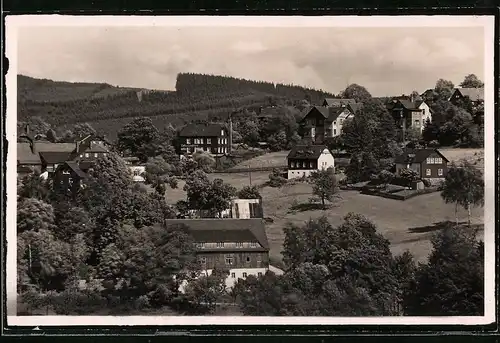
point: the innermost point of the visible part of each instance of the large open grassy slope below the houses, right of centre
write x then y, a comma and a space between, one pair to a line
407, 224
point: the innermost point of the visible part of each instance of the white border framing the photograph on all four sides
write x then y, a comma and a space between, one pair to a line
13, 23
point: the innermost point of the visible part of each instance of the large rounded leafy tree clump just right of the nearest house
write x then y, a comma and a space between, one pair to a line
331, 271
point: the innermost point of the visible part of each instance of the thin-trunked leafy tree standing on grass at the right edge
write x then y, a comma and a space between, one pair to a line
463, 186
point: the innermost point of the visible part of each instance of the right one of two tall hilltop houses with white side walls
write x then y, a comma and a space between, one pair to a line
409, 114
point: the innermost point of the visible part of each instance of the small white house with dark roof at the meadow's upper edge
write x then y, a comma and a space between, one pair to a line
304, 159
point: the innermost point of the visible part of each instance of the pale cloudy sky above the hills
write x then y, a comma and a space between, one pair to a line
387, 61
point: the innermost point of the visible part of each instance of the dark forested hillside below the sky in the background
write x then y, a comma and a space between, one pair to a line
108, 108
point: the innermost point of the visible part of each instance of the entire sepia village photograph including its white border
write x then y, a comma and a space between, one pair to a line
250, 170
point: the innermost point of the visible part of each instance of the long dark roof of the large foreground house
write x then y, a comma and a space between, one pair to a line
225, 230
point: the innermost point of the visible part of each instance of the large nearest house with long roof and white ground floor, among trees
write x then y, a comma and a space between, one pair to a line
240, 245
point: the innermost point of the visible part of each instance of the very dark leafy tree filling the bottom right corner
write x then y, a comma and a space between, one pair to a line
451, 283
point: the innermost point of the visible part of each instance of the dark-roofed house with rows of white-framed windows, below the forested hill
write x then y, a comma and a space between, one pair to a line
211, 138
